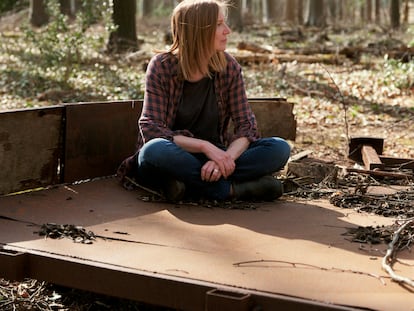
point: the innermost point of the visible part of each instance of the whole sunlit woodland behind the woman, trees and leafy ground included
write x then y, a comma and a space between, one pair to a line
345, 64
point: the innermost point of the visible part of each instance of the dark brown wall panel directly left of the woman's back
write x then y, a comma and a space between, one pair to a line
98, 137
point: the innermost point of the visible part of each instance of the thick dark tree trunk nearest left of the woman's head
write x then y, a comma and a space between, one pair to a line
124, 38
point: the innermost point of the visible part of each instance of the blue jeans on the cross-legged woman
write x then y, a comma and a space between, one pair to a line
161, 159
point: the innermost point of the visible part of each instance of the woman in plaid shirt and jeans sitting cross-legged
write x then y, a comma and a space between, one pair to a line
192, 92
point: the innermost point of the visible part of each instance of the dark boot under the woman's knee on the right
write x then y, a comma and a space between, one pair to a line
266, 188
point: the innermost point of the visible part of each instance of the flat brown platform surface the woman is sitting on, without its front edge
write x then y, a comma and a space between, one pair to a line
284, 247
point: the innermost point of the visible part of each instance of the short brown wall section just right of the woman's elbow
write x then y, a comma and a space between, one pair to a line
275, 117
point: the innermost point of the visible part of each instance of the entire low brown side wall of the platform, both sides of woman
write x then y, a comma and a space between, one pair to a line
98, 136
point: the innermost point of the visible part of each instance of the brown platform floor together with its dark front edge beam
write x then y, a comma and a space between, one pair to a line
160, 254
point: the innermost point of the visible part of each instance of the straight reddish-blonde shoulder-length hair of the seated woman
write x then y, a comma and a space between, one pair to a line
193, 26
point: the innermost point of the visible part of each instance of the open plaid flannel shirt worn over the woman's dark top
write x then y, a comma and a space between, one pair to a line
163, 92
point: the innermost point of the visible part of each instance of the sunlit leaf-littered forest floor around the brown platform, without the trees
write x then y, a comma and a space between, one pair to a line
367, 93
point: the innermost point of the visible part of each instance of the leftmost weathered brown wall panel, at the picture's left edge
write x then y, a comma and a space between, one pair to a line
29, 148
